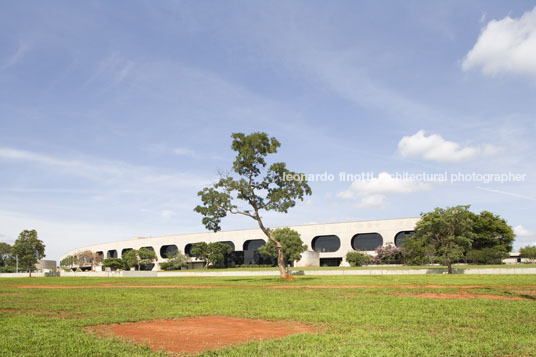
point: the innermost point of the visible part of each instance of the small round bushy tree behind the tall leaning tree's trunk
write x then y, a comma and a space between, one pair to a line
291, 242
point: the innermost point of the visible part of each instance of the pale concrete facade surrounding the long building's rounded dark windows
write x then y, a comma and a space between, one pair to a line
345, 232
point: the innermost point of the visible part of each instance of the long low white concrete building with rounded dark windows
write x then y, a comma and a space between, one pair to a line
327, 243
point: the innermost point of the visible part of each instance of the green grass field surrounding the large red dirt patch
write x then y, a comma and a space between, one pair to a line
387, 320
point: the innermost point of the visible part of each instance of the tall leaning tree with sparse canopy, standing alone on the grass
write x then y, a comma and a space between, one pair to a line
261, 189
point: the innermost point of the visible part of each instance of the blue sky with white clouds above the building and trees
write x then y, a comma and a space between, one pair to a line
113, 115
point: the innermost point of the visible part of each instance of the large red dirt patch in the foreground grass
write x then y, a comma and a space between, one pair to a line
197, 334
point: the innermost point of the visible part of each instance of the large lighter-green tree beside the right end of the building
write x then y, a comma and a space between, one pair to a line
447, 233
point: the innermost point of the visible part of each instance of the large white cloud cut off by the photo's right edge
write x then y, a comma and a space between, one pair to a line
505, 46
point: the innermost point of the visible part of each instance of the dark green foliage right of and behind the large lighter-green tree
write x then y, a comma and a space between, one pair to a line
490, 231
